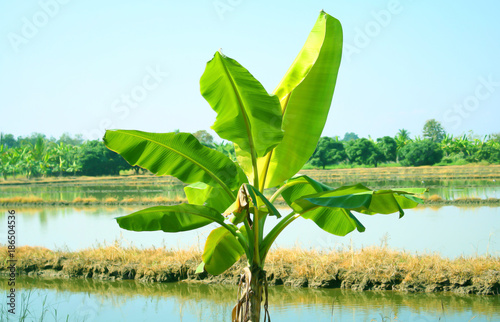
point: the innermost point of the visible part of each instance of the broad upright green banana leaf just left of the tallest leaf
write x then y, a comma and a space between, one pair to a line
246, 114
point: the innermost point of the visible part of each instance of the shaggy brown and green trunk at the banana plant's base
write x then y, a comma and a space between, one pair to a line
251, 289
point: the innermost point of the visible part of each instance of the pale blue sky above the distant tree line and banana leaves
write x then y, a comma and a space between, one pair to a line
85, 66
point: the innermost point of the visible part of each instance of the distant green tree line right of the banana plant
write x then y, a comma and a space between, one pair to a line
434, 147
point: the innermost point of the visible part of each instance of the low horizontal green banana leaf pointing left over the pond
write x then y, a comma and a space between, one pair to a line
170, 219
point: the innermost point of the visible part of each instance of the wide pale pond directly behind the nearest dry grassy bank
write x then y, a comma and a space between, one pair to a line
449, 230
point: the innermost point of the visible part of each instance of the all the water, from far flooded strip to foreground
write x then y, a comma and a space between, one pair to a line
451, 231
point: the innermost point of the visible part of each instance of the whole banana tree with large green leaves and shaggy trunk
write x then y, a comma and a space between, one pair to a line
274, 135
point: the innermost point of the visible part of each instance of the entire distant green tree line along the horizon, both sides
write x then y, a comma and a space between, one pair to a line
39, 156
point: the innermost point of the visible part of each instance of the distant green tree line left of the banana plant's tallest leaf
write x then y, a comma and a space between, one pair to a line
38, 156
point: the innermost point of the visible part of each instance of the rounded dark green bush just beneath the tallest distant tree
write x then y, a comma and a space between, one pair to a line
422, 152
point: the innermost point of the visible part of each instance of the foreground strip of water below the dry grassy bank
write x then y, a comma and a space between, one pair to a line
90, 300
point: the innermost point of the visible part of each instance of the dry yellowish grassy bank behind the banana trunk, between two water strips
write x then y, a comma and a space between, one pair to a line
367, 269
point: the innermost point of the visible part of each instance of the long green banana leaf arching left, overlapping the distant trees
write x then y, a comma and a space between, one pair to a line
177, 154
